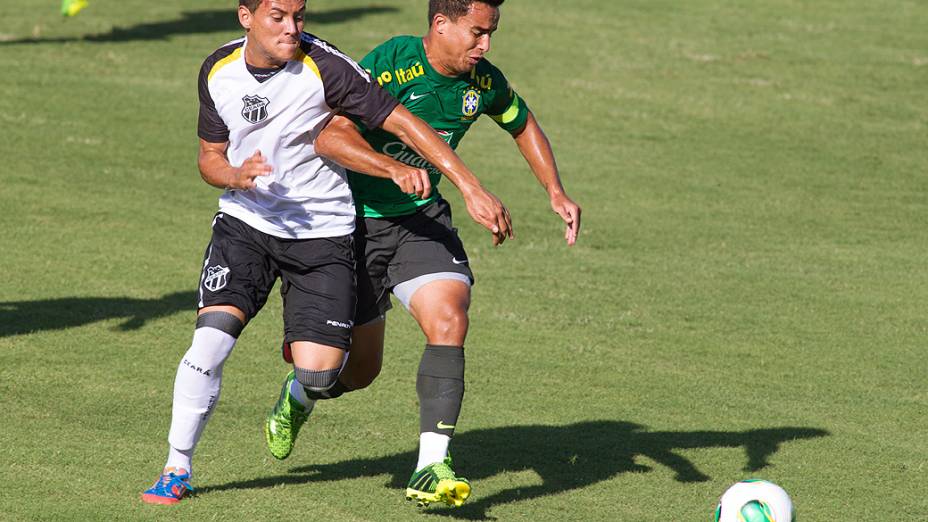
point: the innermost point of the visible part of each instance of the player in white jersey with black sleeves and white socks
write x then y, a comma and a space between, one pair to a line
286, 212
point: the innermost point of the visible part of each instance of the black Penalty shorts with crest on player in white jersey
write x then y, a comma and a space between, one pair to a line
317, 276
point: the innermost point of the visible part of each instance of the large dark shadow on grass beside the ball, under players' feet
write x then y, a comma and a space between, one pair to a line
564, 458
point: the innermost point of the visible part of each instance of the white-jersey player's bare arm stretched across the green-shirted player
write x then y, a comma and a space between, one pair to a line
485, 208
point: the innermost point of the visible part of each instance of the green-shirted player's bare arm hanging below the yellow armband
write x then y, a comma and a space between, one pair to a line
536, 149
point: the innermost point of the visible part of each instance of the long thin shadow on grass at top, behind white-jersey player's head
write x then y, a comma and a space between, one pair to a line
199, 22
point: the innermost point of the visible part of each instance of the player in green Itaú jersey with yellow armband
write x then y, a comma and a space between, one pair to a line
406, 243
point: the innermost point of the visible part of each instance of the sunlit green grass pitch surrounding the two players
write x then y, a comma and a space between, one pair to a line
747, 298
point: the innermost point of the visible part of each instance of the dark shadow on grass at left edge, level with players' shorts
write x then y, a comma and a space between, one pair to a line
22, 317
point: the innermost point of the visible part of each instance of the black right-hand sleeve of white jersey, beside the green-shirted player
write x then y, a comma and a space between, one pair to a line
348, 87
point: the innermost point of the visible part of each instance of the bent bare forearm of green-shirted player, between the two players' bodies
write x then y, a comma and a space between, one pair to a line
341, 142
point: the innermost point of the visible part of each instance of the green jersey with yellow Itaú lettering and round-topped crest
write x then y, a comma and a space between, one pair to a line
449, 105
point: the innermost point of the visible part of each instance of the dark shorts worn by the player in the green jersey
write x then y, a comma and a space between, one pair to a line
394, 250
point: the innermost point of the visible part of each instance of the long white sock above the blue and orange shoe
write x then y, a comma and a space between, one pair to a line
196, 389
